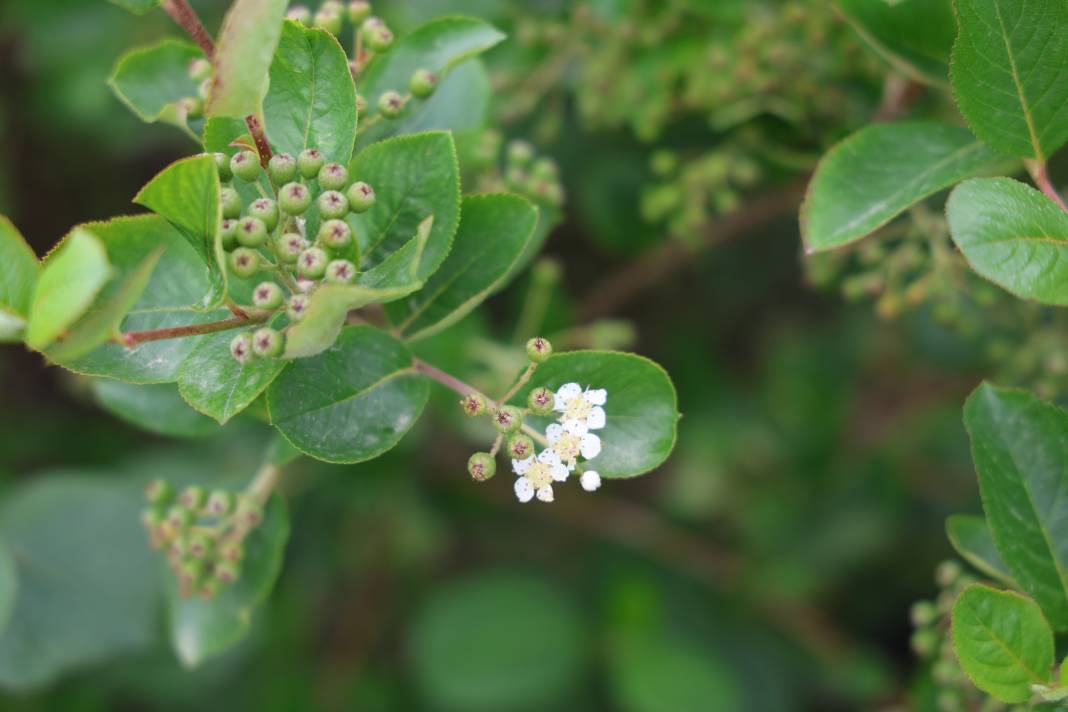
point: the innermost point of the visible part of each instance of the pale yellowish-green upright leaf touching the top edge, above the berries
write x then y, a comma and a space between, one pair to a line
250, 34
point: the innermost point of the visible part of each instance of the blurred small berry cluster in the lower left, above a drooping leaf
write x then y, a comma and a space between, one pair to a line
202, 533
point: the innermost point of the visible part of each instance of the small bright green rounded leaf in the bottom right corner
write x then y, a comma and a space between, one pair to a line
1002, 642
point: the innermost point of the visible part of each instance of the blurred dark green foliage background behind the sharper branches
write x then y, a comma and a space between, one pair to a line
769, 565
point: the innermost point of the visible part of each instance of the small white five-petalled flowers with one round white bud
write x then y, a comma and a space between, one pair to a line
580, 413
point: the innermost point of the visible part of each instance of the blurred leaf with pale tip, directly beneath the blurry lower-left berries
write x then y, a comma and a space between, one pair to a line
201, 628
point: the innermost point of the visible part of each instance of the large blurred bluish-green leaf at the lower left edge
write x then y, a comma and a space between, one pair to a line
87, 590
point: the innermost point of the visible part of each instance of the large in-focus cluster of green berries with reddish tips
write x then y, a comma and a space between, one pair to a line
270, 234
